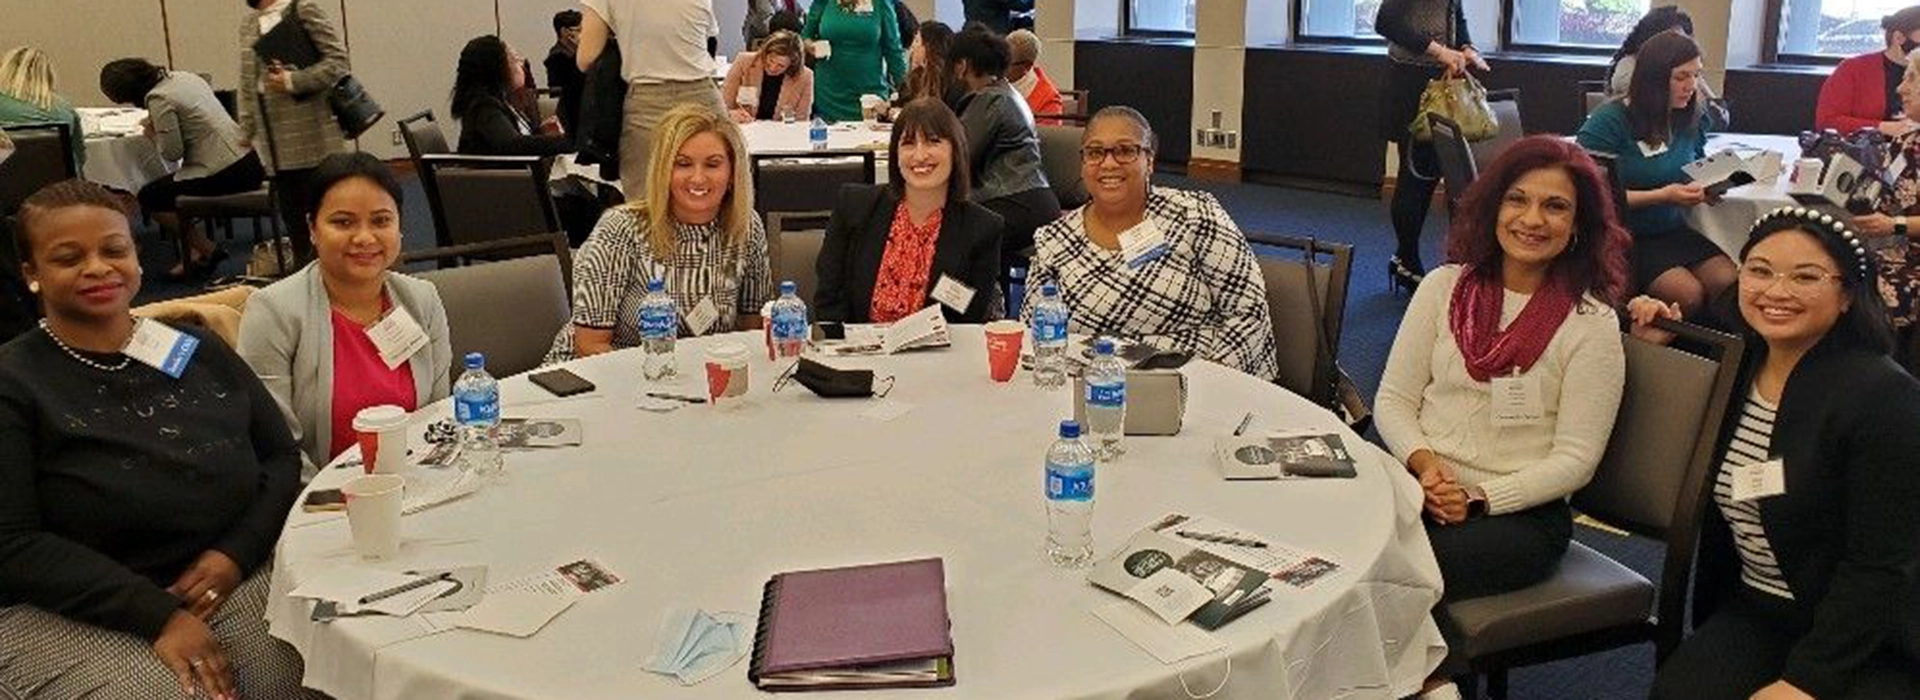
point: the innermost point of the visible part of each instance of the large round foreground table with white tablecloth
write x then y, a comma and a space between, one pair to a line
702, 505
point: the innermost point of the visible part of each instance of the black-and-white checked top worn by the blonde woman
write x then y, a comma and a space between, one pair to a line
613, 268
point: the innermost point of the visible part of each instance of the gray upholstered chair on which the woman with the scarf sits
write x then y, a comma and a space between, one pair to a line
1654, 482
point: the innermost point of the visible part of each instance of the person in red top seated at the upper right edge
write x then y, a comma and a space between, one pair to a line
1861, 93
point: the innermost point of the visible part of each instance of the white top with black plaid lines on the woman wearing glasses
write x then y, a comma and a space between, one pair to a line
1205, 296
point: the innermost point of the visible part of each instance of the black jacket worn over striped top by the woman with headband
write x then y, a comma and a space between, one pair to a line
1848, 530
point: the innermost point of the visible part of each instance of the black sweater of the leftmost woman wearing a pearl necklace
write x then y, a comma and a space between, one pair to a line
114, 482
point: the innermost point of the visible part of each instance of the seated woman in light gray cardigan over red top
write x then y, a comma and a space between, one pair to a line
345, 333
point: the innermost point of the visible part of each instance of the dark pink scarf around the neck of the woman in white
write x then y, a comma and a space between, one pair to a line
1476, 323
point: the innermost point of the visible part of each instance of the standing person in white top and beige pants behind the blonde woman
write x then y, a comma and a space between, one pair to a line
665, 62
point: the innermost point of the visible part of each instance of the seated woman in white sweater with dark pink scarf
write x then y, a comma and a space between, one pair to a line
1508, 371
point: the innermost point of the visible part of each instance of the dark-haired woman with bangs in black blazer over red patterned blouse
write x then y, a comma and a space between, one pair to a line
894, 250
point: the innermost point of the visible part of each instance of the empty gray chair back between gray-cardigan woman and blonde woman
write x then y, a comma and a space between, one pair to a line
508, 310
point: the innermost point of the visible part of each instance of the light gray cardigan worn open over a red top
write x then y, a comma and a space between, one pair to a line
287, 337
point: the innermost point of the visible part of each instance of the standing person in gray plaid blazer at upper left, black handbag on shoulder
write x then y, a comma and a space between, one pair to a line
283, 110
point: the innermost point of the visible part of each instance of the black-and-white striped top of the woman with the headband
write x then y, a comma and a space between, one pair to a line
1750, 446
